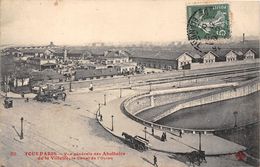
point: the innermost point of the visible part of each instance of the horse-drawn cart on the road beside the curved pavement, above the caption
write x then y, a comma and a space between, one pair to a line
136, 142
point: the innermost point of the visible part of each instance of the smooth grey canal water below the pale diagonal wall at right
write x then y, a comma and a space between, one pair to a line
217, 115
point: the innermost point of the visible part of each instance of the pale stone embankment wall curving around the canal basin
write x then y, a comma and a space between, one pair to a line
142, 102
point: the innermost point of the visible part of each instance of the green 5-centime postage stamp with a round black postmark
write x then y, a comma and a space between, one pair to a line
210, 22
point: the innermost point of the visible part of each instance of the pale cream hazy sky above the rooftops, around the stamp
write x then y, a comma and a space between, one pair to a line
78, 22
